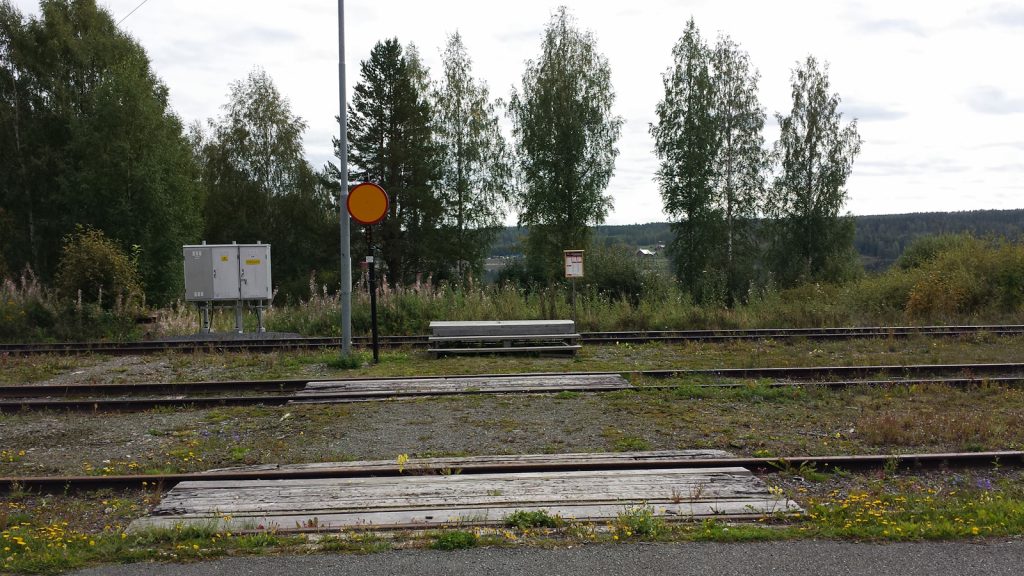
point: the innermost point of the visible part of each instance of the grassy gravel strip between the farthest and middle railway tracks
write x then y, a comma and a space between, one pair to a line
398, 363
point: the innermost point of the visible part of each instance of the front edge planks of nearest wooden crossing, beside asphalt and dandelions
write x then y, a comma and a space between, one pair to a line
463, 517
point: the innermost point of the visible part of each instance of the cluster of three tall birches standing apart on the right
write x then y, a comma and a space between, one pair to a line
721, 185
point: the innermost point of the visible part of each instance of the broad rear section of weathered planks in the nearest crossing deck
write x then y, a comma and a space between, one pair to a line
535, 489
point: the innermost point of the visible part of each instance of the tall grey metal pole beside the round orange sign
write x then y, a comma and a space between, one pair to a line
347, 254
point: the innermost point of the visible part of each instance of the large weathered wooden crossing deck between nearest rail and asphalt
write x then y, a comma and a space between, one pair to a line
420, 502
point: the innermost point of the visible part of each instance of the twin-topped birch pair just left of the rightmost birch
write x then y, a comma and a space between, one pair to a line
709, 139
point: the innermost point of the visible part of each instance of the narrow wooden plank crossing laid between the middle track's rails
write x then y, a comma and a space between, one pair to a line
492, 385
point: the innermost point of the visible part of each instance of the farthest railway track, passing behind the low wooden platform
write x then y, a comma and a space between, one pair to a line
420, 342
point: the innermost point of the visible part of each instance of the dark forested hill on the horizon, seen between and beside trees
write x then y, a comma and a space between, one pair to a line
880, 239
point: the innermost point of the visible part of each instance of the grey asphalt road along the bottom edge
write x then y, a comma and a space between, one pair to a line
804, 558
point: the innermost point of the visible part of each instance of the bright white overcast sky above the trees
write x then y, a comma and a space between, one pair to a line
936, 86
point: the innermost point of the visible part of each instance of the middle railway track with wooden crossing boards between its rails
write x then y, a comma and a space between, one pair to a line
143, 396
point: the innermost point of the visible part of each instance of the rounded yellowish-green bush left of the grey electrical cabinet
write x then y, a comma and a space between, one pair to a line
95, 270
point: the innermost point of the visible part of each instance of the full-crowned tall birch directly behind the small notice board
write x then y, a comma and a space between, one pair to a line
566, 136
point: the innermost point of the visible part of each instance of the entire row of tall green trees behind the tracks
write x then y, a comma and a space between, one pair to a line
90, 140
